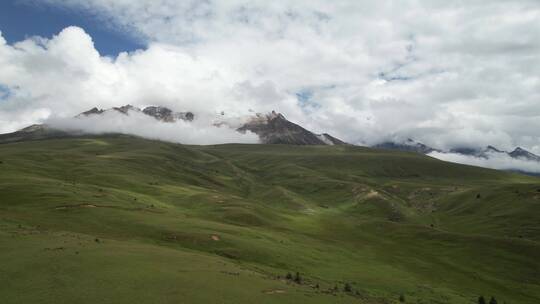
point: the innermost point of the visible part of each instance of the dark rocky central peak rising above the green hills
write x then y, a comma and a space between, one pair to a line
274, 128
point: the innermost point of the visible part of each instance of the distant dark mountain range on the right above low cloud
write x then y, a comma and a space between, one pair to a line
411, 145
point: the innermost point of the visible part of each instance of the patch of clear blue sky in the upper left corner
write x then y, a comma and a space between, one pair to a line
20, 19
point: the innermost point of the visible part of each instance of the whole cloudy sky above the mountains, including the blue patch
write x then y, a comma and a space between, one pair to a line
446, 73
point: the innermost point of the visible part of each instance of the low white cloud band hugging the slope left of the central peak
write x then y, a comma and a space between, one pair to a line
200, 131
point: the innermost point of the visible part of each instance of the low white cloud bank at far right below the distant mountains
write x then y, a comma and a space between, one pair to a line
500, 161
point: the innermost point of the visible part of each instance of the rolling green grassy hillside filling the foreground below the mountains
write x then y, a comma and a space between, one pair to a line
116, 219
